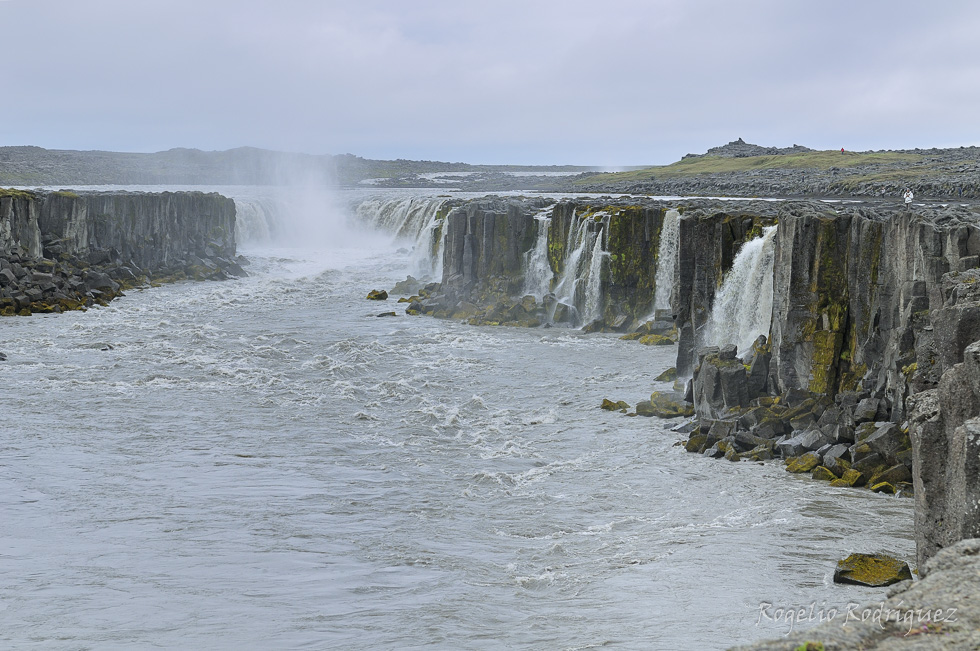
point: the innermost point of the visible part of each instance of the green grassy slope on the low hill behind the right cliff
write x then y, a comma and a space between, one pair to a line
815, 160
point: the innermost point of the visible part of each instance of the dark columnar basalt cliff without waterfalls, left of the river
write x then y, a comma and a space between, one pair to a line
64, 250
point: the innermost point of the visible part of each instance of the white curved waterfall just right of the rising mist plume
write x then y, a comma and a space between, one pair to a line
414, 219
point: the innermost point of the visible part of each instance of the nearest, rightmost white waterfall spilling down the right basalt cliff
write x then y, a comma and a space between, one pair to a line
743, 305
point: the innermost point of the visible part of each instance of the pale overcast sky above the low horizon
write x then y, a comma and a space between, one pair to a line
598, 82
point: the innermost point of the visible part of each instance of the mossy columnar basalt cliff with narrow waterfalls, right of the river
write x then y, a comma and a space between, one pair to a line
872, 310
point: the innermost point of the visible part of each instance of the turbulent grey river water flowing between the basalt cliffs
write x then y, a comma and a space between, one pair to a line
264, 463
